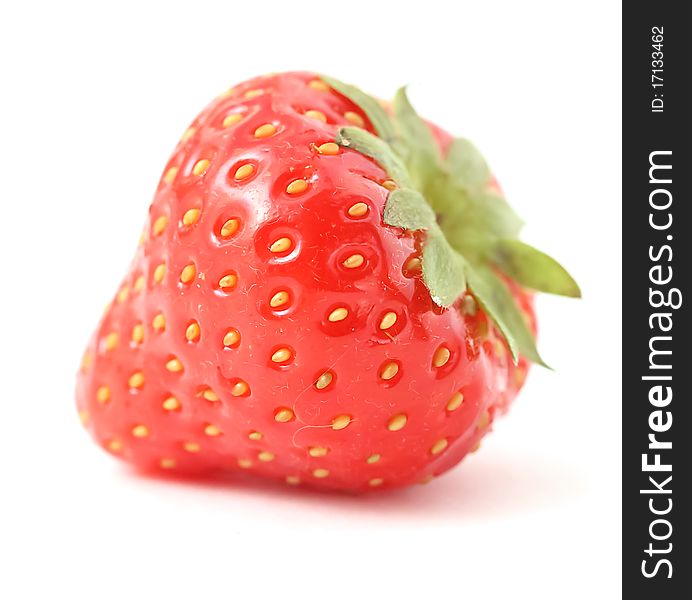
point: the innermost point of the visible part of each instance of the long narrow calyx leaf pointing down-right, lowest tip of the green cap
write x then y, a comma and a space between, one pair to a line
499, 304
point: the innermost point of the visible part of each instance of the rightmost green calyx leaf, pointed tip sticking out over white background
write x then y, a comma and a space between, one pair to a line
534, 269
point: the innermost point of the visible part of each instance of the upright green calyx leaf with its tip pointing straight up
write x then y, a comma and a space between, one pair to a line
422, 152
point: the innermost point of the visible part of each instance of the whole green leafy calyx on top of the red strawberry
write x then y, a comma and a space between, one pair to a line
471, 233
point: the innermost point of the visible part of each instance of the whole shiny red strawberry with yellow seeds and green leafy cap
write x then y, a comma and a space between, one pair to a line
325, 292
